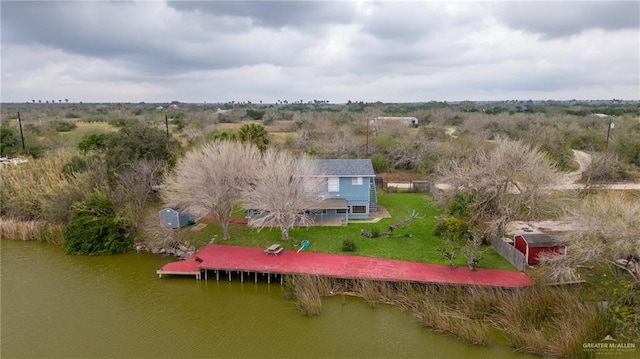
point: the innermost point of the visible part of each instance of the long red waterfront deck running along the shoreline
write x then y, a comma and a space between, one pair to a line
251, 259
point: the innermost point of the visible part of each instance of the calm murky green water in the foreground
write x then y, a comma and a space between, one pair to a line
55, 306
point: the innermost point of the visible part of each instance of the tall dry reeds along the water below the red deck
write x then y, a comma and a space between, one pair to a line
538, 320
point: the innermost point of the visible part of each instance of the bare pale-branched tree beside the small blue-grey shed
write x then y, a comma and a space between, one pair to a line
212, 180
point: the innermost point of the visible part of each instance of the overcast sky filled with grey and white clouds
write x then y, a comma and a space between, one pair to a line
390, 51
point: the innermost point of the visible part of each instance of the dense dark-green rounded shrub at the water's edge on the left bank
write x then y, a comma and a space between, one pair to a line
94, 229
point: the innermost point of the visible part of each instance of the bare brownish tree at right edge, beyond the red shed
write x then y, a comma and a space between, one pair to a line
607, 231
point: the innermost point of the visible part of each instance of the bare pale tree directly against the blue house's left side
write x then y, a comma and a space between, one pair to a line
287, 188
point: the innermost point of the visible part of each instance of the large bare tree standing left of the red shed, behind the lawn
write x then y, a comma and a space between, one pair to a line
502, 181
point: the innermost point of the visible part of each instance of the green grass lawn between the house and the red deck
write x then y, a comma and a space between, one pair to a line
420, 247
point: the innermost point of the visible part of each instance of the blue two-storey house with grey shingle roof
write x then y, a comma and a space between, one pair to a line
350, 190
